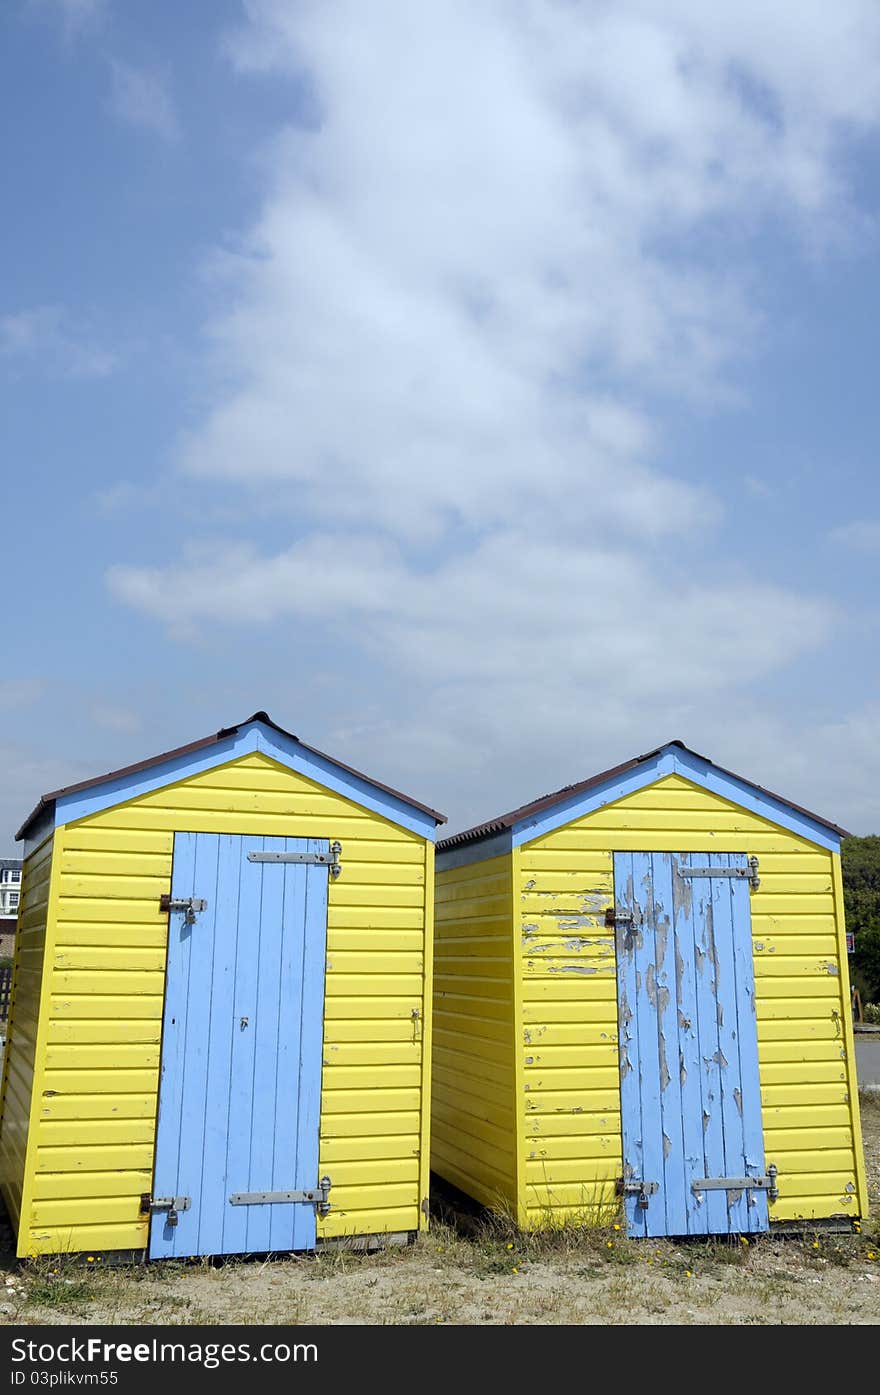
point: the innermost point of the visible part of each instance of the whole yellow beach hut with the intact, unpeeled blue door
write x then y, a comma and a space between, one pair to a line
220, 1037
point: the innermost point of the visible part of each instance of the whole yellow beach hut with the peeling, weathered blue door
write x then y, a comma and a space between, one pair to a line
642, 1001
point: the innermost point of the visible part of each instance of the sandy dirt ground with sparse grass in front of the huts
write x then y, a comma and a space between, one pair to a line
489, 1276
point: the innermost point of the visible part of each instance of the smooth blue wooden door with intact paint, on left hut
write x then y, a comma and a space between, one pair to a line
242, 1043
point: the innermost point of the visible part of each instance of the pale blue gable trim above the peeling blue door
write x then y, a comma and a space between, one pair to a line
674, 761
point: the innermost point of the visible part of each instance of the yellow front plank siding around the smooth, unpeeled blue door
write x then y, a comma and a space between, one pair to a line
105, 984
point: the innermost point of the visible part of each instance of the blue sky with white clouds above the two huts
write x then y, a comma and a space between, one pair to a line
489, 393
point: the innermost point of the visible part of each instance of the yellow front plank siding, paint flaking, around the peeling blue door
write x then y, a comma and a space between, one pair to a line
571, 1115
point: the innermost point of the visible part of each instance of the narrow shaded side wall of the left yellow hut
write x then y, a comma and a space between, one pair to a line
22, 1046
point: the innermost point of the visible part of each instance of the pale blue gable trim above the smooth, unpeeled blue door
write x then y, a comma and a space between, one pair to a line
243, 741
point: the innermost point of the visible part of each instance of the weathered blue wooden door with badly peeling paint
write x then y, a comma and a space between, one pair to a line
690, 1079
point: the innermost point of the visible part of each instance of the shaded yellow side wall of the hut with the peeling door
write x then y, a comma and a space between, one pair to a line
473, 1132
